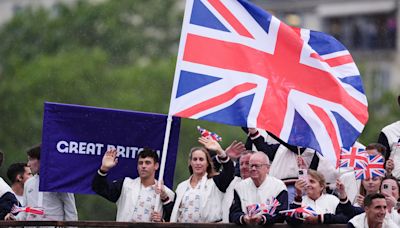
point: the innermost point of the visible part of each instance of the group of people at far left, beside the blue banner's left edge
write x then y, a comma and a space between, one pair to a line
24, 191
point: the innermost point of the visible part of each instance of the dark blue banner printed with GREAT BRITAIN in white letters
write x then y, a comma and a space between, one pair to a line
75, 138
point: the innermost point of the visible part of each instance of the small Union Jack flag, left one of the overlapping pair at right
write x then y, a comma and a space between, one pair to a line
353, 157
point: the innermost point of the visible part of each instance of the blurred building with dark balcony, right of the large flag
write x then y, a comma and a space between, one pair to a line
368, 28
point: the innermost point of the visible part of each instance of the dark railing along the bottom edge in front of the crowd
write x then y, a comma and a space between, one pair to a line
139, 225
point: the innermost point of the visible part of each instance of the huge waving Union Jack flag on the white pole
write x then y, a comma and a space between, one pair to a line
239, 65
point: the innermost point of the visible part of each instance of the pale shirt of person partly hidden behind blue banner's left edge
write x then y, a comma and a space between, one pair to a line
56, 205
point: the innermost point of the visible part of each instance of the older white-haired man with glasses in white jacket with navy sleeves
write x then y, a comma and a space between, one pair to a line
260, 188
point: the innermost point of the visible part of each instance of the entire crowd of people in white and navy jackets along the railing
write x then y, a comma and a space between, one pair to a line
261, 181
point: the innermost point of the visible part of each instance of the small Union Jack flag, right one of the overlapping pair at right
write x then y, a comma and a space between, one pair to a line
374, 168
